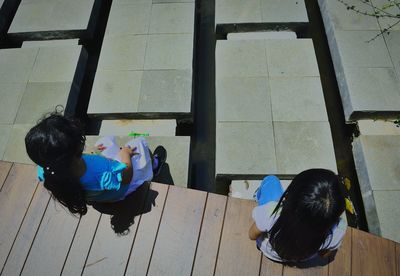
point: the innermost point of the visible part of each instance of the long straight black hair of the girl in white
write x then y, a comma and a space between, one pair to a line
310, 207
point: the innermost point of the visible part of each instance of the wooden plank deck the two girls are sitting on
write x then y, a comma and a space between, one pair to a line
173, 231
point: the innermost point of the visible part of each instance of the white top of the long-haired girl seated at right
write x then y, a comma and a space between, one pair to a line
264, 223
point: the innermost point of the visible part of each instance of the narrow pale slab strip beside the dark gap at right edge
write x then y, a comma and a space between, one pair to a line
370, 127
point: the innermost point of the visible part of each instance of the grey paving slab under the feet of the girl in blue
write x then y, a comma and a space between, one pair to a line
177, 153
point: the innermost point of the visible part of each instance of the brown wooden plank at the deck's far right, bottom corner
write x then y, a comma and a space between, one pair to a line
372, 255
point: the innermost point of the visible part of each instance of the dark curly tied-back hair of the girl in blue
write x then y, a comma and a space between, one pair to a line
54, 143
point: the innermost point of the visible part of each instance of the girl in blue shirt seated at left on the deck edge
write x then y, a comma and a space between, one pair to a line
75, 179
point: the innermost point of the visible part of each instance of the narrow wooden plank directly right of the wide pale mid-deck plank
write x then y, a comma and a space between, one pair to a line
207, 248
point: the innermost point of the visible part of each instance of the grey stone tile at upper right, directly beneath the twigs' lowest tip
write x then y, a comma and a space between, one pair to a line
355, 51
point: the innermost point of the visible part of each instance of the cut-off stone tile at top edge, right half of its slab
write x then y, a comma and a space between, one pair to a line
283, 11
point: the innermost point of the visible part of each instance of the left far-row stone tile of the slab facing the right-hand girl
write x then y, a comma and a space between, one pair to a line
241, 59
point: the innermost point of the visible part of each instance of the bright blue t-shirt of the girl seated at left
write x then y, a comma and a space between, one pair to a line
102, 179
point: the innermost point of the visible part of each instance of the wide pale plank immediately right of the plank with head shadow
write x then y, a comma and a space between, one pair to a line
178, 234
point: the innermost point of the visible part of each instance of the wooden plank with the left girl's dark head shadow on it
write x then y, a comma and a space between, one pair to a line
110, 252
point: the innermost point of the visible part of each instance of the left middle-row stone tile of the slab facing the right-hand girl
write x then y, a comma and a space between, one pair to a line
243, 99
